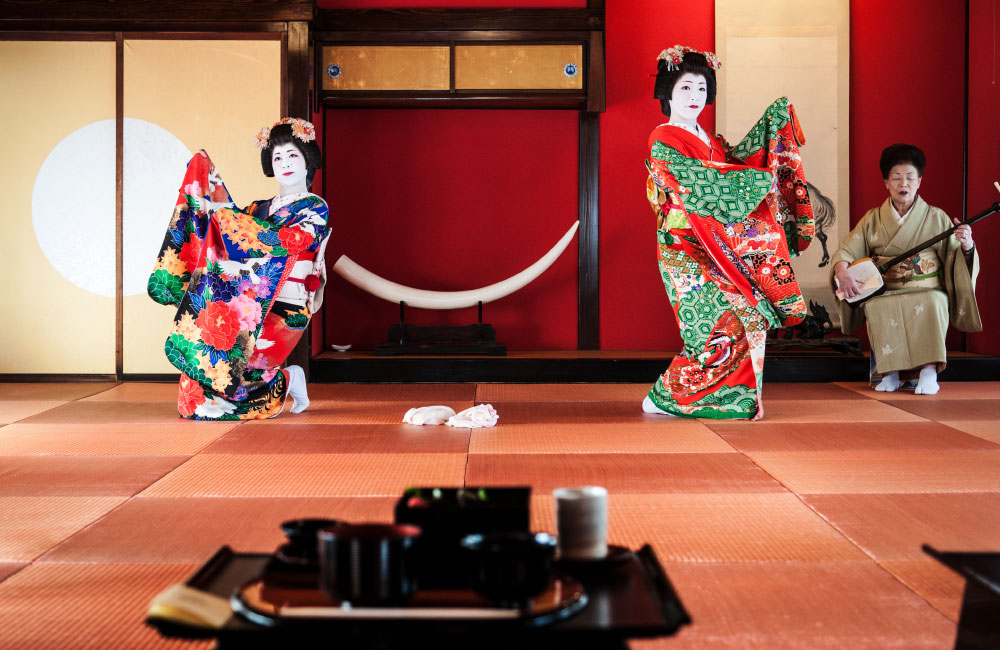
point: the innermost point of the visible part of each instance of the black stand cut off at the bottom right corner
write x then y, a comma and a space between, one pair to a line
979, 620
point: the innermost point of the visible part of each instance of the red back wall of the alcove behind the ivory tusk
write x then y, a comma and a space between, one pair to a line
451, 200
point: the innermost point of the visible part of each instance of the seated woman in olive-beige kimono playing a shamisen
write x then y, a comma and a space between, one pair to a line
907, 324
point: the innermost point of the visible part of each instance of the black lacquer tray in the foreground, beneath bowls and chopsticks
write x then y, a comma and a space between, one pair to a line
633, 599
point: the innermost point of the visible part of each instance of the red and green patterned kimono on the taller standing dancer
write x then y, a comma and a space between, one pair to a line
729, 219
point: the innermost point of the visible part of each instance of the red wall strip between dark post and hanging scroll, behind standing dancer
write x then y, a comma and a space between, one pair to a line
635, 312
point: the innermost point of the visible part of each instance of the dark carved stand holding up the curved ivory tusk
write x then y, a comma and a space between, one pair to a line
404, 338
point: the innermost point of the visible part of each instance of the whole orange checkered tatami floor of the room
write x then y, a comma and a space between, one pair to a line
802, 530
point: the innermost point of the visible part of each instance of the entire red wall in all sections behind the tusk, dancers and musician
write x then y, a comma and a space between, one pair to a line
400, 180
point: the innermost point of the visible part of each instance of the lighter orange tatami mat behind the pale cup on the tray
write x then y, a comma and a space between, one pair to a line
716, 527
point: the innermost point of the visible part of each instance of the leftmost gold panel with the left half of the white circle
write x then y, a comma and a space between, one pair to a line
58, 184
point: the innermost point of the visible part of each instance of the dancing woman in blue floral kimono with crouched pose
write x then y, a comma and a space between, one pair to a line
245, 281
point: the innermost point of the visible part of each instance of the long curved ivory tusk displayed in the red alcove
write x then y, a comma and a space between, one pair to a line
424, 299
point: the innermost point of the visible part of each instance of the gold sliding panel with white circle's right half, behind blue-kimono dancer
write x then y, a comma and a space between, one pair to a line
164, 125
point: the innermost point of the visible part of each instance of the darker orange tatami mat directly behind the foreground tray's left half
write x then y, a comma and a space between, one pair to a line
190, 530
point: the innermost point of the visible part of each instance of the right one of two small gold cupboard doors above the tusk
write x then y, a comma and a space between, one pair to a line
519, 67
